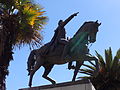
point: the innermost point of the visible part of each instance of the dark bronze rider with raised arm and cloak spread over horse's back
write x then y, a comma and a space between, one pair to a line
59, 38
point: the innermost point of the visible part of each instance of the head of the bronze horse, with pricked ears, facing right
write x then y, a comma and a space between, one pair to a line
92, 29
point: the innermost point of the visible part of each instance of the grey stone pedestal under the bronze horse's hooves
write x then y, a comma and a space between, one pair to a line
78, 85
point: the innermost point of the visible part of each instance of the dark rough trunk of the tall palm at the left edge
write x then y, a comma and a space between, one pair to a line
6, 39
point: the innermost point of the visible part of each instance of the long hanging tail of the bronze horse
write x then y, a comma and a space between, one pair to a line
31, 61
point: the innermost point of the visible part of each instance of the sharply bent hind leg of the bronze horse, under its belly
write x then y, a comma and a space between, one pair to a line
48, 68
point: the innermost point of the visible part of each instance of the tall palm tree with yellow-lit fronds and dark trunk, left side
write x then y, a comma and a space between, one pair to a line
21, 22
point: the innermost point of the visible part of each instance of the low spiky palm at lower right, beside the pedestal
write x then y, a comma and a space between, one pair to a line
108, 75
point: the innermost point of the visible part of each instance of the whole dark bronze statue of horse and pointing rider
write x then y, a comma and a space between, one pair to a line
61, 50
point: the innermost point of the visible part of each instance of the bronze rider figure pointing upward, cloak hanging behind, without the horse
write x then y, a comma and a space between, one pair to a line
60, 34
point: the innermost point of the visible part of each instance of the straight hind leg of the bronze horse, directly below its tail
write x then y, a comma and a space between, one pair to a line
38, 64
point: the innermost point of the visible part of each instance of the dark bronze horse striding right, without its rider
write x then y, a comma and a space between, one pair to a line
75, 50
